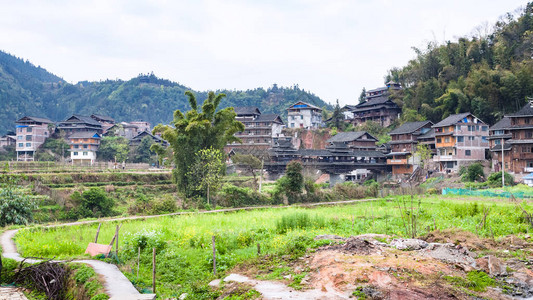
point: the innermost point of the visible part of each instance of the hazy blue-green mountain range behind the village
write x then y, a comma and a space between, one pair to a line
29, 90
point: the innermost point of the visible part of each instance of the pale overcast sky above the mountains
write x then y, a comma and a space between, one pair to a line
332, 48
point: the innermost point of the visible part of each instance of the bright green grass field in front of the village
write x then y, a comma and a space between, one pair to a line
183, 243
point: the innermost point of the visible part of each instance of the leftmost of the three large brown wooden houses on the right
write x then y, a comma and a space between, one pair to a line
404, 141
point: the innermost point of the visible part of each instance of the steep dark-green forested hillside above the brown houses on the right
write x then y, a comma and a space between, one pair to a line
489, 75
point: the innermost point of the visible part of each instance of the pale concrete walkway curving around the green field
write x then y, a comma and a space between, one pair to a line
116, 284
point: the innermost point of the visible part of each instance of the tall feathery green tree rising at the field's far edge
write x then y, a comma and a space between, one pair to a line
196, 130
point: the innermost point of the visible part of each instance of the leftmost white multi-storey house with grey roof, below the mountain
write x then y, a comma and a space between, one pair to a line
31, 132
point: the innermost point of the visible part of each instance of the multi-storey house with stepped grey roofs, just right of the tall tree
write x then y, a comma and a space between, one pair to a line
259, 129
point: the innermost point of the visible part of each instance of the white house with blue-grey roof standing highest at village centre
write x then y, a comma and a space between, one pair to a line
304, 115
